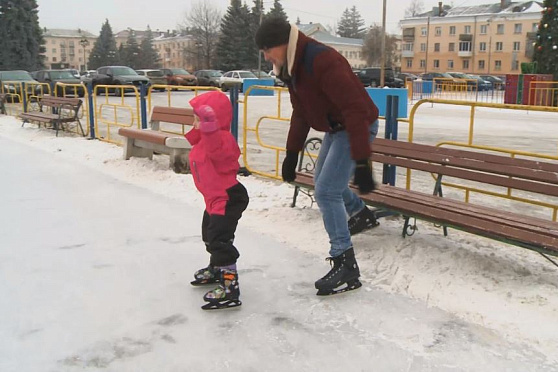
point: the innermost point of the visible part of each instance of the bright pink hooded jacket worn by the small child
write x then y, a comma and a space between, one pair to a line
214, 155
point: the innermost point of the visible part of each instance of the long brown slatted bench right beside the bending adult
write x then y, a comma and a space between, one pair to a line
513, 227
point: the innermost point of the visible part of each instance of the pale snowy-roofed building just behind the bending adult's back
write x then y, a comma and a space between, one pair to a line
350, 48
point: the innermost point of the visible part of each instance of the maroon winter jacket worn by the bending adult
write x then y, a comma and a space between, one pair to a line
325, 90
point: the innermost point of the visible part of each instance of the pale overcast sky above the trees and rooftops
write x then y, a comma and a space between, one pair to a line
166, 14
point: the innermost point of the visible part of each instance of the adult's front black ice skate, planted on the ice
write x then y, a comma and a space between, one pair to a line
344, 272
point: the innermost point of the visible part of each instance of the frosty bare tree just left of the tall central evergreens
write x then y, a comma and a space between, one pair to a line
202, 22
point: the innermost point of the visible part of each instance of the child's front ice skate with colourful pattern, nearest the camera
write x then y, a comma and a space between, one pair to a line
226, 294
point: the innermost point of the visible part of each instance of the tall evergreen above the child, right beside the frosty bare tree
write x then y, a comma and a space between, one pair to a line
234, 45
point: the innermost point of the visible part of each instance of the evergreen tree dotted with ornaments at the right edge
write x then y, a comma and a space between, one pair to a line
546, 45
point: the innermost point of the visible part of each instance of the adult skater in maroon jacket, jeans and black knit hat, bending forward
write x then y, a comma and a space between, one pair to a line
327, 96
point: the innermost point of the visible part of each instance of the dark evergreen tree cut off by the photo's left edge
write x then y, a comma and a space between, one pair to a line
21, 38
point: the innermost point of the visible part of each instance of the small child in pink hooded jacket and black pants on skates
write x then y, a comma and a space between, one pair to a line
214, 166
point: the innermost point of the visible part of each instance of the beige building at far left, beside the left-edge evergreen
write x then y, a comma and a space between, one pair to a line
67, 48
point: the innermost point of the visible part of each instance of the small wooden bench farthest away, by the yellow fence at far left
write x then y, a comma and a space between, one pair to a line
62, 110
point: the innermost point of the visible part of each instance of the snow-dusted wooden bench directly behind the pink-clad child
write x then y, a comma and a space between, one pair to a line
144, 142
